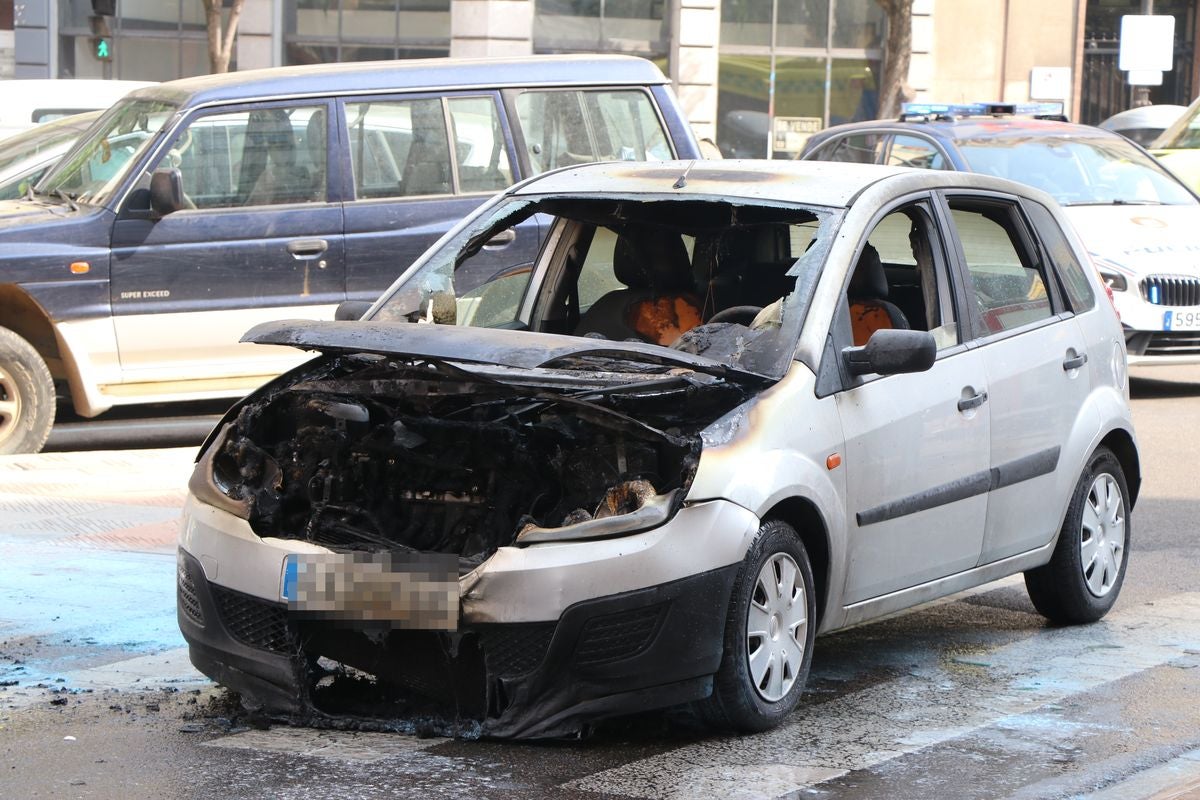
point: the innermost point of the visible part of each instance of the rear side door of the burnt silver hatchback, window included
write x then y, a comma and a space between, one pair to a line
1035, 357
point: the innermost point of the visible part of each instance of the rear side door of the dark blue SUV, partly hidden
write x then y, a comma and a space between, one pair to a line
418, 165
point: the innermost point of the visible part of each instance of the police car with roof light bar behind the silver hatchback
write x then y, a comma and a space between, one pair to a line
1141, 225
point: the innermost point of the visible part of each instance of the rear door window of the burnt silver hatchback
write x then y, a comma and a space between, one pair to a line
1007, 284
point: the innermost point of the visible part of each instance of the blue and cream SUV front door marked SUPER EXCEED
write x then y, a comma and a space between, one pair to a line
259, 239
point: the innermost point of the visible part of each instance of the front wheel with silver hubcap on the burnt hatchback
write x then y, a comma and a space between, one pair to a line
769, 635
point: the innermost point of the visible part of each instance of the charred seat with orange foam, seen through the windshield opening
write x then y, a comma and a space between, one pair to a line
658, 303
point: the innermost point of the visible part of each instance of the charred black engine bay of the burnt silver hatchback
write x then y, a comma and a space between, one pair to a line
377, 454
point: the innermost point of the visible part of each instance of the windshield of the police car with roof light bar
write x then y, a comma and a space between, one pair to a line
1077, 171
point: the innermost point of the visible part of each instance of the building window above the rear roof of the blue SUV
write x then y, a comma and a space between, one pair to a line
635, 27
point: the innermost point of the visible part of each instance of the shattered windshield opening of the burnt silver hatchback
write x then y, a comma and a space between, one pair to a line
724, 280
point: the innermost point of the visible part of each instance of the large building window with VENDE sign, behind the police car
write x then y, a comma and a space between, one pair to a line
815, 63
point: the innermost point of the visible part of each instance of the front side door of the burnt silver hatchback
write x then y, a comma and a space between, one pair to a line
917, 446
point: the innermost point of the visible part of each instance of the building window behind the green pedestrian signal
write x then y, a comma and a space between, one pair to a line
151, 40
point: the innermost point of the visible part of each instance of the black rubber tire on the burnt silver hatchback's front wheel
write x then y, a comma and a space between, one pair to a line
739, 702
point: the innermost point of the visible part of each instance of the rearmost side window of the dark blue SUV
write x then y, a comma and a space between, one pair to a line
563, 129
